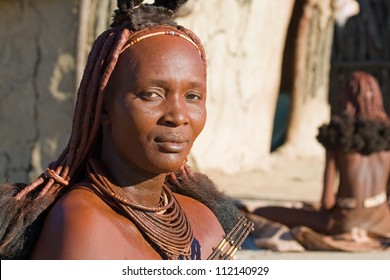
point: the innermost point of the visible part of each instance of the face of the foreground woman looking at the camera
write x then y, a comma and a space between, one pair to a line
155, 103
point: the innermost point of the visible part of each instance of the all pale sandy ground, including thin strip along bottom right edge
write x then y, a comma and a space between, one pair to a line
290, 181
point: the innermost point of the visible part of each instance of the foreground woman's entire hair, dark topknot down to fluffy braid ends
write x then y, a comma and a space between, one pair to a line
28, 204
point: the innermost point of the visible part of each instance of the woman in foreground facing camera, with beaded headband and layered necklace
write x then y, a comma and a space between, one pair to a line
140, 107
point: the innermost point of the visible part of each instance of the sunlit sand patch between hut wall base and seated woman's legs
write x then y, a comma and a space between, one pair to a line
289, 178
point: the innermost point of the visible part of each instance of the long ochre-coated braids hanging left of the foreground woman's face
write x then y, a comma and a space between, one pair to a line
86, 122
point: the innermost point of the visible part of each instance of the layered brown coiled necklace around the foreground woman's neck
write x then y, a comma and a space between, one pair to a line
165, 225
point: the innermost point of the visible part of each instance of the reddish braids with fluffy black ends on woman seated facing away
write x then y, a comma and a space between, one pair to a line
360, 123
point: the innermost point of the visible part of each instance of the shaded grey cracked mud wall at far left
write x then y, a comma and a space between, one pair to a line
37, 83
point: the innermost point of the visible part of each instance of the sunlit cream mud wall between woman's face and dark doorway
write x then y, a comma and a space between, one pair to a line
244, 41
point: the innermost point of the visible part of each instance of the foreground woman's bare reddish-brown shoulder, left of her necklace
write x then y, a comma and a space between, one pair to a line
81, 226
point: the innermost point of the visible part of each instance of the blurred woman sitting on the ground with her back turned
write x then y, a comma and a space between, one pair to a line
357, 144
